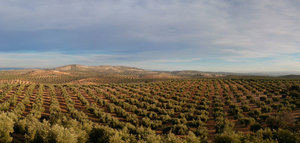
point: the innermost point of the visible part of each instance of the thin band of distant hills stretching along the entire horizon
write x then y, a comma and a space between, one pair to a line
107, 69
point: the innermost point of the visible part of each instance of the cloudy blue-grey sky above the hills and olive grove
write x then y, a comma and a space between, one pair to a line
214, 35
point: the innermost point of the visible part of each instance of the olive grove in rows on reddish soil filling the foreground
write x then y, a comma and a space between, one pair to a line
190, 110
